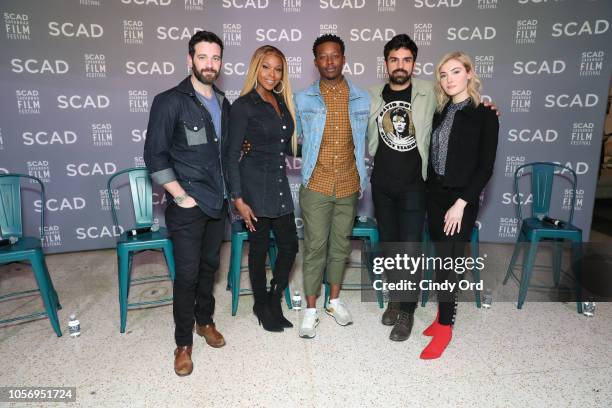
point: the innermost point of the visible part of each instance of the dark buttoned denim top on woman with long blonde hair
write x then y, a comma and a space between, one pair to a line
259, 176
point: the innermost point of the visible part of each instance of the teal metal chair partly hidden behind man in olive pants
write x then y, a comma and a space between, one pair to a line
367, 233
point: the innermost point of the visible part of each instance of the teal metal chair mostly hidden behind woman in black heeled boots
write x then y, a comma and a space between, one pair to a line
239, 236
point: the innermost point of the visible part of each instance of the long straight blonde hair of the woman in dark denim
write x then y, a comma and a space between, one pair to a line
286, 93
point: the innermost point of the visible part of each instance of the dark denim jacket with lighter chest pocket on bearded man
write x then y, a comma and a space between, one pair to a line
182, 145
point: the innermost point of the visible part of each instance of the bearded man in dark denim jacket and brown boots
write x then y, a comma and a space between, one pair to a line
187, 127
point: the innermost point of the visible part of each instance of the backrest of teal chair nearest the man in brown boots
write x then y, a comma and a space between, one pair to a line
142, 196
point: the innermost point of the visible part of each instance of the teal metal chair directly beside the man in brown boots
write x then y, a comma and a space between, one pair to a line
127, 246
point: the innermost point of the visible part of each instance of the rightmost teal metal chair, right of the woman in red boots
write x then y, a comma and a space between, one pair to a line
533, 230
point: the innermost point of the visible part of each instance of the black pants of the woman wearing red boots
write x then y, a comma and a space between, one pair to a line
439, 200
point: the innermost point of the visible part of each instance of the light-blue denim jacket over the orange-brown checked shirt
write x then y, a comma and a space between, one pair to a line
310, 112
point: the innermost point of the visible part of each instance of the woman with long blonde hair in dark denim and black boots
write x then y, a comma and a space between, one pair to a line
259, 188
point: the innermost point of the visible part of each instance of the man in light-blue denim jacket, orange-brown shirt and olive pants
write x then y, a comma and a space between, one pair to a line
331, 119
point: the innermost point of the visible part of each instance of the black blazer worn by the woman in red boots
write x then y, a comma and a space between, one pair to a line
472, 146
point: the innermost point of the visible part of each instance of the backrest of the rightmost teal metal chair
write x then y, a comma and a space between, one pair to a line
542, 177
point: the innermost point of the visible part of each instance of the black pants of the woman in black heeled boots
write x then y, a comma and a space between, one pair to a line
286, 239
